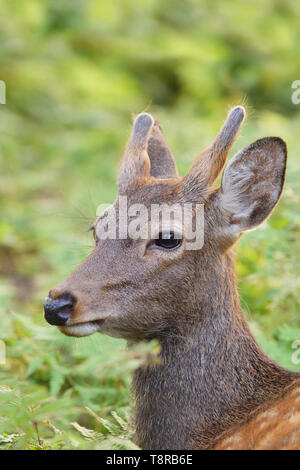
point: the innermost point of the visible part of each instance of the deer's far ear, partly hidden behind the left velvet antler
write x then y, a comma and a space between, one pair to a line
162, 161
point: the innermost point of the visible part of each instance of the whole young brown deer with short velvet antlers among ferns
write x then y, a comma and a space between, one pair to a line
213, 387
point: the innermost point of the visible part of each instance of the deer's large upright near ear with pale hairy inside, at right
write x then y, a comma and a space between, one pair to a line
252, 183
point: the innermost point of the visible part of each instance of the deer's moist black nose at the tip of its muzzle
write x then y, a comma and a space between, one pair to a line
59, 310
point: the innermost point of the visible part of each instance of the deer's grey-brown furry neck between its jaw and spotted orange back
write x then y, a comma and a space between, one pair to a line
208, 379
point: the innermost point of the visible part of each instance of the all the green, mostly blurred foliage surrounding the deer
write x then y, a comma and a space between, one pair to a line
76, 71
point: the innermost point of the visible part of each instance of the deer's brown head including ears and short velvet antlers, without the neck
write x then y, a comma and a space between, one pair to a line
139, 287
